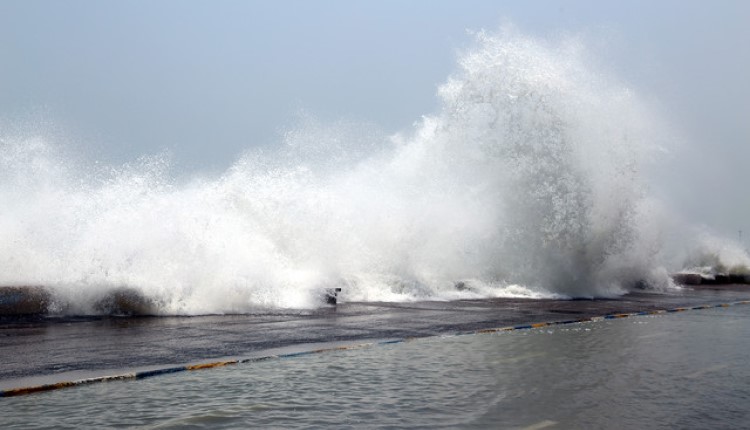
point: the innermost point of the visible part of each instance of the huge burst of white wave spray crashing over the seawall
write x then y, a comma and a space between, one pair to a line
528, 182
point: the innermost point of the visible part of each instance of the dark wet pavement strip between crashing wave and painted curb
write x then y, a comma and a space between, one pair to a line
49, 349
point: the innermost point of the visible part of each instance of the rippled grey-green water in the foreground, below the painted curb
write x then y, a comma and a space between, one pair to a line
682, 370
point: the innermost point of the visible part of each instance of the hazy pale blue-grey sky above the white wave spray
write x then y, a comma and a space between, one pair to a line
208, 79
